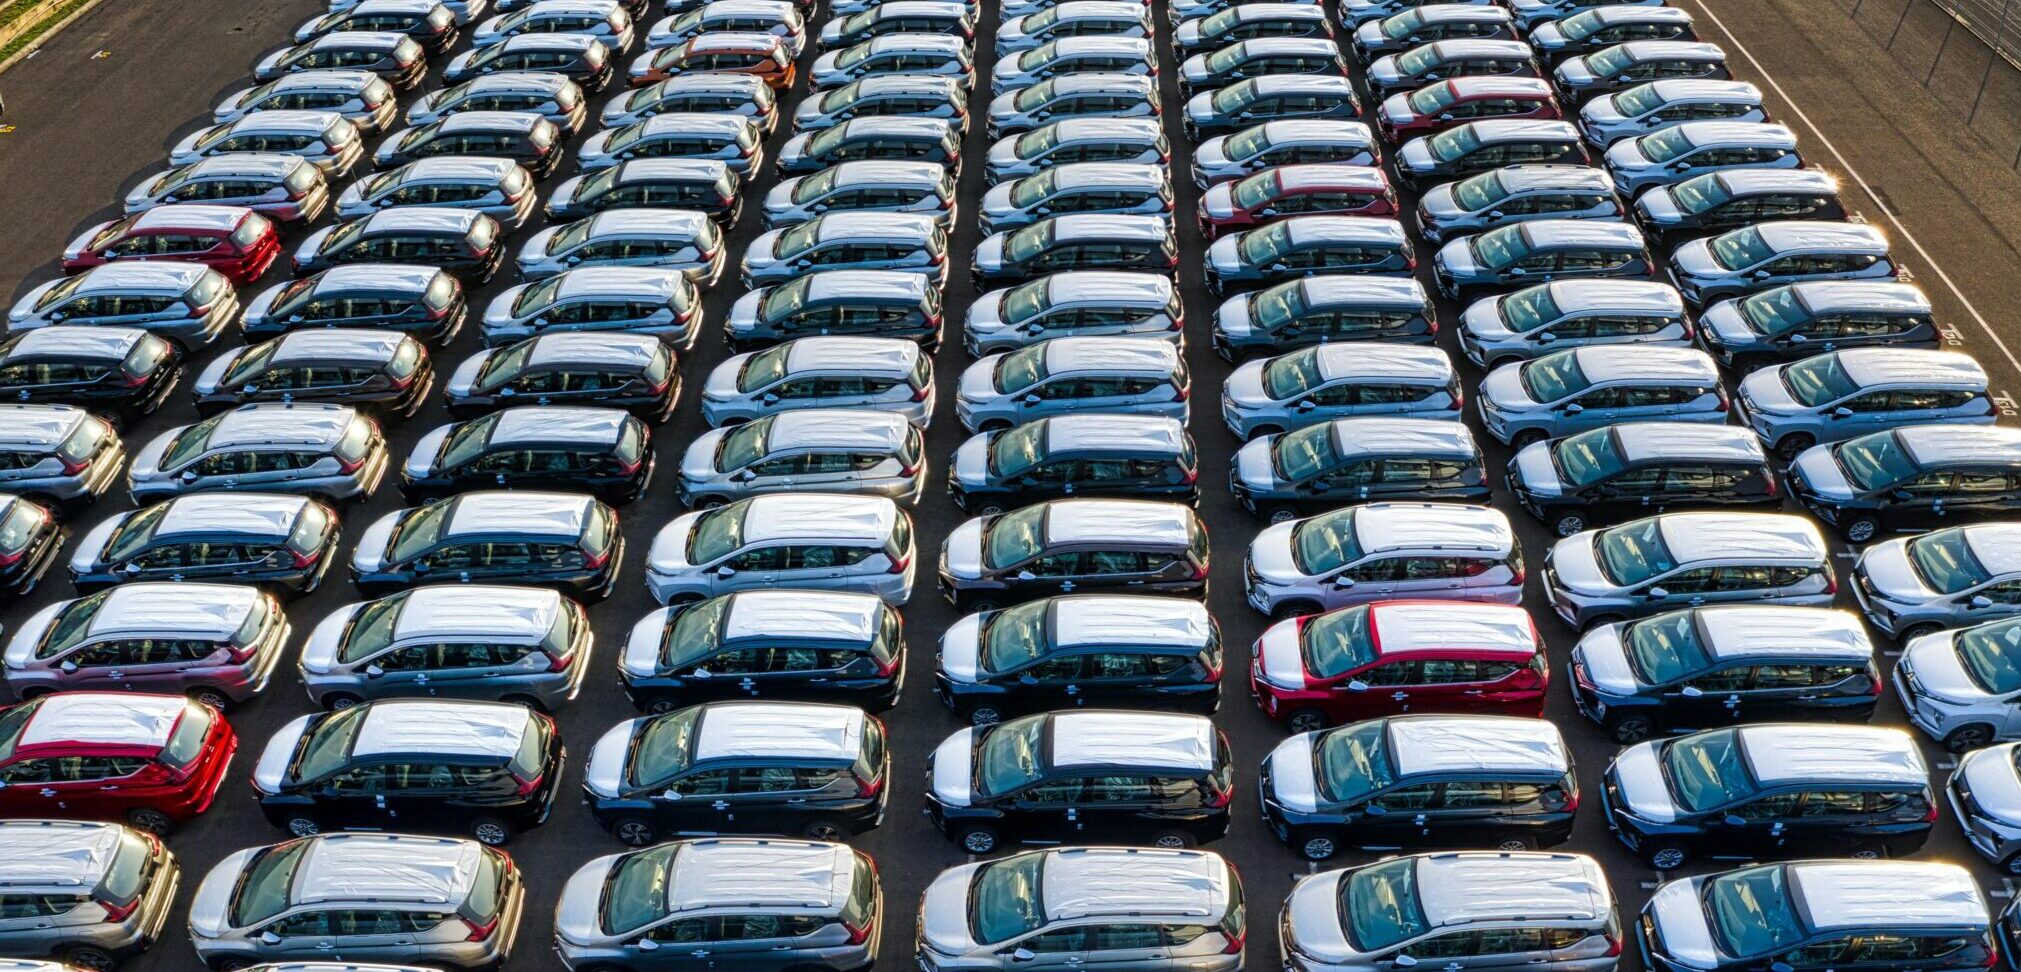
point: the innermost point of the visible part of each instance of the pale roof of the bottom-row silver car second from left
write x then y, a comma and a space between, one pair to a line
385, 868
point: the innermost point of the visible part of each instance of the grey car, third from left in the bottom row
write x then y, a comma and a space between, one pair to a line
743, 902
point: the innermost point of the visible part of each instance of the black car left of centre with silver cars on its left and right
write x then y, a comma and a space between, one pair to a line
599, 452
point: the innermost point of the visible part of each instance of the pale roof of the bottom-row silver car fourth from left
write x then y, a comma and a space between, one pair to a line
1135, 882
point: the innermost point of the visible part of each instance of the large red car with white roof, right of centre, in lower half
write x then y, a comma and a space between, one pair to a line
1400, 656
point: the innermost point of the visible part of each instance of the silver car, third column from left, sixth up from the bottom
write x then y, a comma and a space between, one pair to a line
822, 373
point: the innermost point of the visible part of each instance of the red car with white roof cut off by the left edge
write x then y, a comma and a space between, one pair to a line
149, 761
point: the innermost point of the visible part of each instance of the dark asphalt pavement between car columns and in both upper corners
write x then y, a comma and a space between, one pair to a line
98, 108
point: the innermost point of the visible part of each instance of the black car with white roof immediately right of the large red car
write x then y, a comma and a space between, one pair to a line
1725, 664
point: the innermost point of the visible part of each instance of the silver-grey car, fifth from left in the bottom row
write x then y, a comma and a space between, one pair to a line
1488, 900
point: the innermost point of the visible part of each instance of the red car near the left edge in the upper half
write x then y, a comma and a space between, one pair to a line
231, 239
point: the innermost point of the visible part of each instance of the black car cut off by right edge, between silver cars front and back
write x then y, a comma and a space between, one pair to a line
1919, 476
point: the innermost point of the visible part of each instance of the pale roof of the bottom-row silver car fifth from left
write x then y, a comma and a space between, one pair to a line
1486, 886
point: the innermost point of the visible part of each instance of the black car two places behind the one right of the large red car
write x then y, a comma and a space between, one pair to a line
1634, 470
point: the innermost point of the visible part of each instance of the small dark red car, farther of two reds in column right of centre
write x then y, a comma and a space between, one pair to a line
1323, 189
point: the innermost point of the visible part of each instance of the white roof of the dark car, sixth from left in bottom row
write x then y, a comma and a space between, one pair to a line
1893, 894
